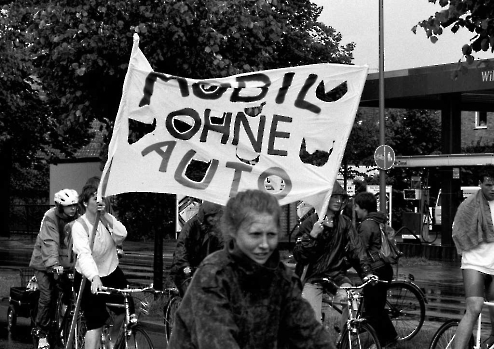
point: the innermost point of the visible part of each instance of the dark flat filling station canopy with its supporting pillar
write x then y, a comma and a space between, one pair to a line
451, 89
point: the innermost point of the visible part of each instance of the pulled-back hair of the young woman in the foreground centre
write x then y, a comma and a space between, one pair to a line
243, 206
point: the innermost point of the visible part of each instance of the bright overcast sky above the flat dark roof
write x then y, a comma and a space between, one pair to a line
358, 21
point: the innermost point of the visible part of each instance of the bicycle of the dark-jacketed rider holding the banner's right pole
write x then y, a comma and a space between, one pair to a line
357, 332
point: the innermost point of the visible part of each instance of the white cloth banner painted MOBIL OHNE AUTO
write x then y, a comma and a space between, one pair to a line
250, 129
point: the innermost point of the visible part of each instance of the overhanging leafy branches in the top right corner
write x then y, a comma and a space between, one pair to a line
476, 16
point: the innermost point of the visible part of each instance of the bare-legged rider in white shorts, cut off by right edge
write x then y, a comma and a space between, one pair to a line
473, 235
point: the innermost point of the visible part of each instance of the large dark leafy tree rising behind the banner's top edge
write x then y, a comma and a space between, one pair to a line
79, 49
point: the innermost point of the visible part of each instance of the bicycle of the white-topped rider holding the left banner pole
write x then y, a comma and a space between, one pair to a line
131, 334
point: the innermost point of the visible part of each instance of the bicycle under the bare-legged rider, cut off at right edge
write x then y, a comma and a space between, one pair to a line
444, 336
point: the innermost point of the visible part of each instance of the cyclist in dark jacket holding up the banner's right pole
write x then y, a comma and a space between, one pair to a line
328, 247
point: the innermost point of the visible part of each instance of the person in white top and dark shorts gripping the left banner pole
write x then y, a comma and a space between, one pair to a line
99, 264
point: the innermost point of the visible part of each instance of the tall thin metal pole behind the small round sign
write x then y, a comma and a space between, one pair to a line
382, 140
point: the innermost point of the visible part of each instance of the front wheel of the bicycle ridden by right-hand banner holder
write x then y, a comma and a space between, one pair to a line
360, 336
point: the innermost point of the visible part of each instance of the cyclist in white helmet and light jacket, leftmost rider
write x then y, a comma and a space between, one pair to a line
46, 258
